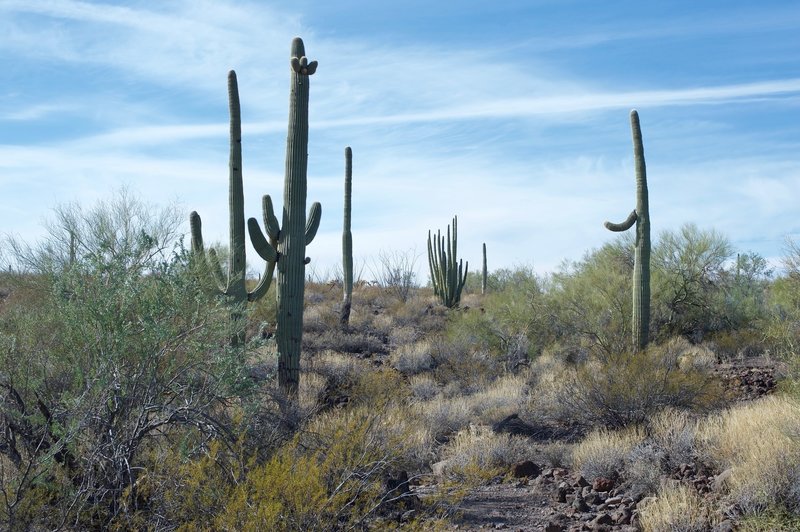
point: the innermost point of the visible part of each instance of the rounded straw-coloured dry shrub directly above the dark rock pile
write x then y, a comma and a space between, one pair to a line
604, 453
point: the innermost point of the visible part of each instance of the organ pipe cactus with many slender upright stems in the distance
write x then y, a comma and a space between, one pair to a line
447, 276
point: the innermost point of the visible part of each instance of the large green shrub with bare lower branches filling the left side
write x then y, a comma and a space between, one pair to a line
123, 348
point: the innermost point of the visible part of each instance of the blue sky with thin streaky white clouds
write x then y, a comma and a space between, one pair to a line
512, 115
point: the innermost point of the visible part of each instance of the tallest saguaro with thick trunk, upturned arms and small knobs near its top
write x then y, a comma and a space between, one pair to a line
287, 242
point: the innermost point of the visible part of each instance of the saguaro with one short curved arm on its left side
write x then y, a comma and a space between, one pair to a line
641, 266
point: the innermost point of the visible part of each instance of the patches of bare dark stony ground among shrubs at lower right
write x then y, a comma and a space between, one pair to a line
534, 497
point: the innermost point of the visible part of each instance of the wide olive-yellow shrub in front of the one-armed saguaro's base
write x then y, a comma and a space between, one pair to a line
619, 389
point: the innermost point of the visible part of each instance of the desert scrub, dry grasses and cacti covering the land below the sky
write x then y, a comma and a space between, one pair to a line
145, 387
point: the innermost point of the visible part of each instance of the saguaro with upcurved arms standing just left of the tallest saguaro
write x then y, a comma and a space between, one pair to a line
232, 284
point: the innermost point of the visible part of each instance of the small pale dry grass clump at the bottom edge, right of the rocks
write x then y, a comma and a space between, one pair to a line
675, 509
